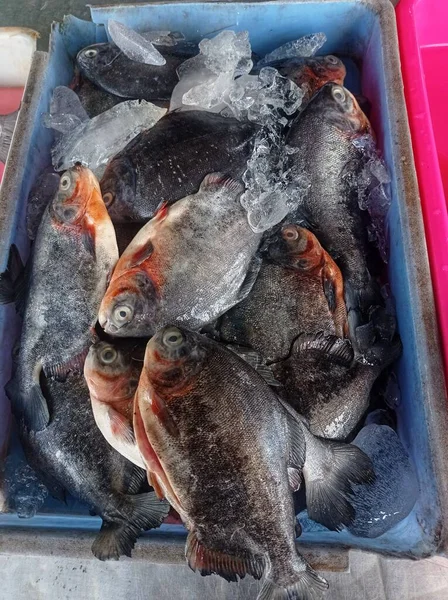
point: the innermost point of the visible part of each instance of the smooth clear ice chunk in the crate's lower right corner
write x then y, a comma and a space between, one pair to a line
392, 496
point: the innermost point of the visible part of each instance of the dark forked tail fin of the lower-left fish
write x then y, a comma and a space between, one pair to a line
141, 512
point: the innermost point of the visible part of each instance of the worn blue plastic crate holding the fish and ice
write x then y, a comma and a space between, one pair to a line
364, 32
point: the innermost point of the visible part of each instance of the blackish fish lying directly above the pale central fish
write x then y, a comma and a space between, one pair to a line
169, 162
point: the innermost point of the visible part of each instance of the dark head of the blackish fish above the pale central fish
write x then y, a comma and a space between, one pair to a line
118, 186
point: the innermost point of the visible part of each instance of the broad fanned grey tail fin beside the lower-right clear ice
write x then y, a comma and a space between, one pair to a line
329, 474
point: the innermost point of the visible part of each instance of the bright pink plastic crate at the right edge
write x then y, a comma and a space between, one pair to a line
423, 37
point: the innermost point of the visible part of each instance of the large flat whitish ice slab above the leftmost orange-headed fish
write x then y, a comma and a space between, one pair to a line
94, 142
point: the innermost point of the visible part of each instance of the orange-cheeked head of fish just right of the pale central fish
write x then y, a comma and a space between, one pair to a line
295, 247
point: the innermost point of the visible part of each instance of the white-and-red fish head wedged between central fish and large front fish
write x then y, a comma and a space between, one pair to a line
112, 371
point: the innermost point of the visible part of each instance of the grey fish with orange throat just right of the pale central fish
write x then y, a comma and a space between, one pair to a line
299, 289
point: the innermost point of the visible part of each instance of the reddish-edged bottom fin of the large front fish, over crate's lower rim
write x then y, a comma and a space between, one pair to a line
229, 567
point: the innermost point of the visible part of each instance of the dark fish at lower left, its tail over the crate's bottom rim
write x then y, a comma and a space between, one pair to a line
71, 454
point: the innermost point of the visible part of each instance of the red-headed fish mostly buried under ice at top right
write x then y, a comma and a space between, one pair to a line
310, 73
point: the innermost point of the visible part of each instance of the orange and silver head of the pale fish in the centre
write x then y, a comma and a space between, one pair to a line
130, 305
